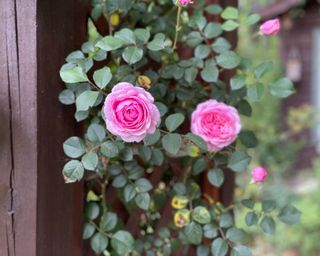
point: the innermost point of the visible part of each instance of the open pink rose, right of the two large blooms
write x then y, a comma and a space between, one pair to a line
216, 123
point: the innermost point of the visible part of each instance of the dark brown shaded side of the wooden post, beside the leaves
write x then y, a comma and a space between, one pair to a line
61, 29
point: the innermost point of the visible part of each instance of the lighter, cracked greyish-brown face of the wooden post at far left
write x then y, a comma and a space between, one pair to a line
18, 109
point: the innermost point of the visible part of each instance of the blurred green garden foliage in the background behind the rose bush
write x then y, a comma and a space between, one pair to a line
278, 149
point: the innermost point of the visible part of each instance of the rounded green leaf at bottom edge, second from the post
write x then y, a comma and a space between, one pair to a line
122, 242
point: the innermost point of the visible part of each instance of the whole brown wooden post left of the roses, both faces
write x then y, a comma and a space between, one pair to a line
39, 214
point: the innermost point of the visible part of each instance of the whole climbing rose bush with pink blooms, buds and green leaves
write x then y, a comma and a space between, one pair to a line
156, 116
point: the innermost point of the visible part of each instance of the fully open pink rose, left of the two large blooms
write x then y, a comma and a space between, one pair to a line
130, 112
